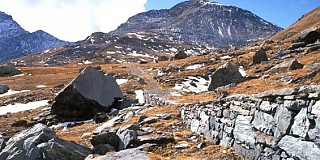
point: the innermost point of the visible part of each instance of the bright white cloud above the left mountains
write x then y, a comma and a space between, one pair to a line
71, 20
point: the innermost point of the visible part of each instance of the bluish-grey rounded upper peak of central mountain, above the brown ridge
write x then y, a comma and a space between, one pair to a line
200, 22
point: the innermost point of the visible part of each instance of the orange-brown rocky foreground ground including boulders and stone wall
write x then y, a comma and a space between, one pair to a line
256, 102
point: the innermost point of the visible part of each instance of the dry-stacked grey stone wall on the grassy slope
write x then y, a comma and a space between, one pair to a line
278, 124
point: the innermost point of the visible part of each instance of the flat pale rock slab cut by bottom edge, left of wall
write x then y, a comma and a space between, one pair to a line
123, 155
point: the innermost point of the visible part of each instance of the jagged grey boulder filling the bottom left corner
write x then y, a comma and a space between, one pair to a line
40, 142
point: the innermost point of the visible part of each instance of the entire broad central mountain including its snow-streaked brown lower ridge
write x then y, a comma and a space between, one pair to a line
196, 27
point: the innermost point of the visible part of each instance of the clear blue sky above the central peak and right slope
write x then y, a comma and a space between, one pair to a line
280, 12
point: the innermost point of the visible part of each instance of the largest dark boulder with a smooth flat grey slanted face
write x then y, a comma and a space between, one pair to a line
87, 94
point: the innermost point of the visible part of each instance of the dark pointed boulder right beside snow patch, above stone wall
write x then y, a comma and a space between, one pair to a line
224, 75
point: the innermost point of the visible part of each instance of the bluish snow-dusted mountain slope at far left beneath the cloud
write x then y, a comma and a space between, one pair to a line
16, 42
